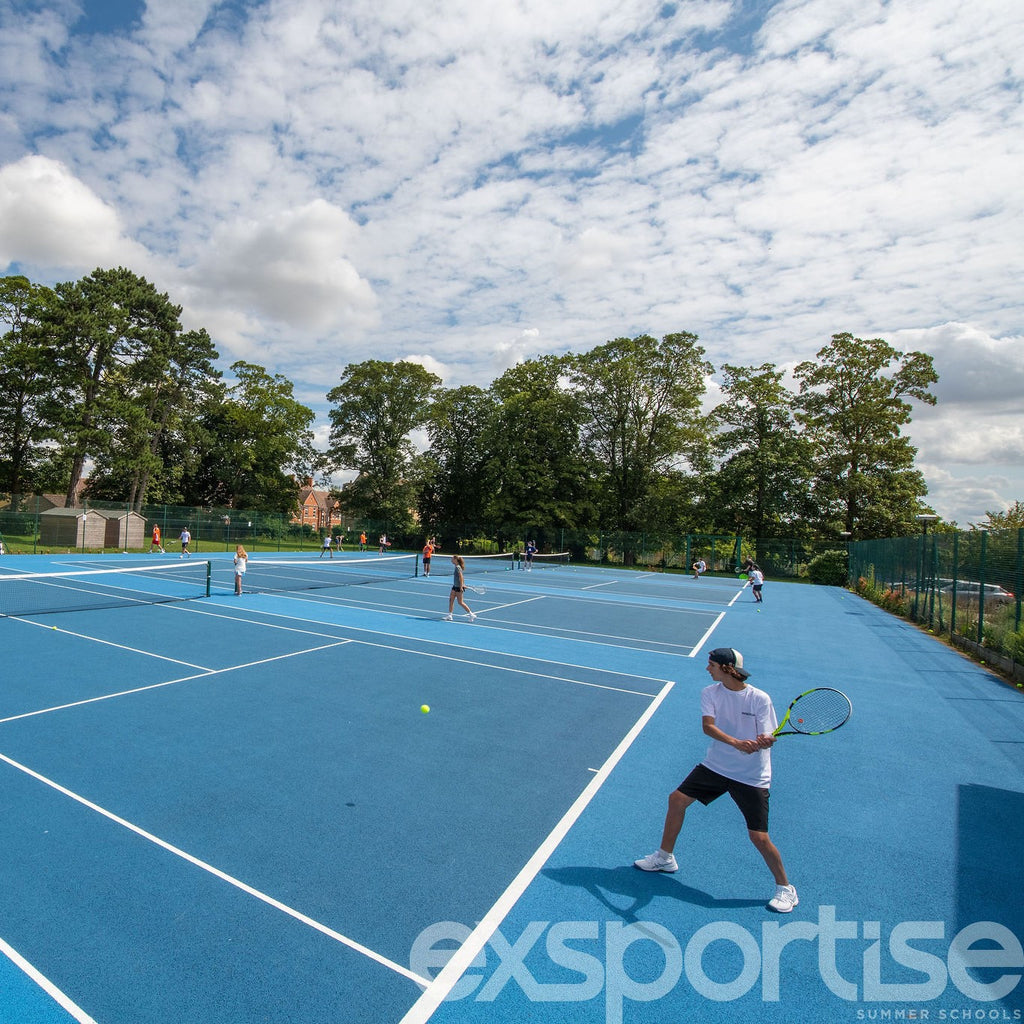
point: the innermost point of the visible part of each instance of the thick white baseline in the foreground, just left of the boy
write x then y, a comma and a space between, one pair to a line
463, 958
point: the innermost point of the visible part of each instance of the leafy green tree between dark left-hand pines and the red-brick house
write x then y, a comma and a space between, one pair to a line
259, 438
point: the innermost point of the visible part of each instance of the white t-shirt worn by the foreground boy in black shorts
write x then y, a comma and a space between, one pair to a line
743, 714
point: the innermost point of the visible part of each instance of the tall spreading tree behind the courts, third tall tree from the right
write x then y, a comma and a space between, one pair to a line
642, 400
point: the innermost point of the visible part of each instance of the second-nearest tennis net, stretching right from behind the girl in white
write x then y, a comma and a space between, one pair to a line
271, 576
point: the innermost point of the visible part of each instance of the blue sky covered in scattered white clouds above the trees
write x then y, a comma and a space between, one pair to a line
470, 184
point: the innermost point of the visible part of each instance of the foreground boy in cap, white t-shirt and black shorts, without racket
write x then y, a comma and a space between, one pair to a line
740, 719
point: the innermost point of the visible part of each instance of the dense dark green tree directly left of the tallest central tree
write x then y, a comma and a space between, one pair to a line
536, 474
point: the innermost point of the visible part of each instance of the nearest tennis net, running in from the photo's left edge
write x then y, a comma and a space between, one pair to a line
24, 594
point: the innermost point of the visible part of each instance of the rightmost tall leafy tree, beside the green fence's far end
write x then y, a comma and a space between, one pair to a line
854, 404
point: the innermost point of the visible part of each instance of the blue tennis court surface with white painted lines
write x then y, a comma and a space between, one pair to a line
233, 810
